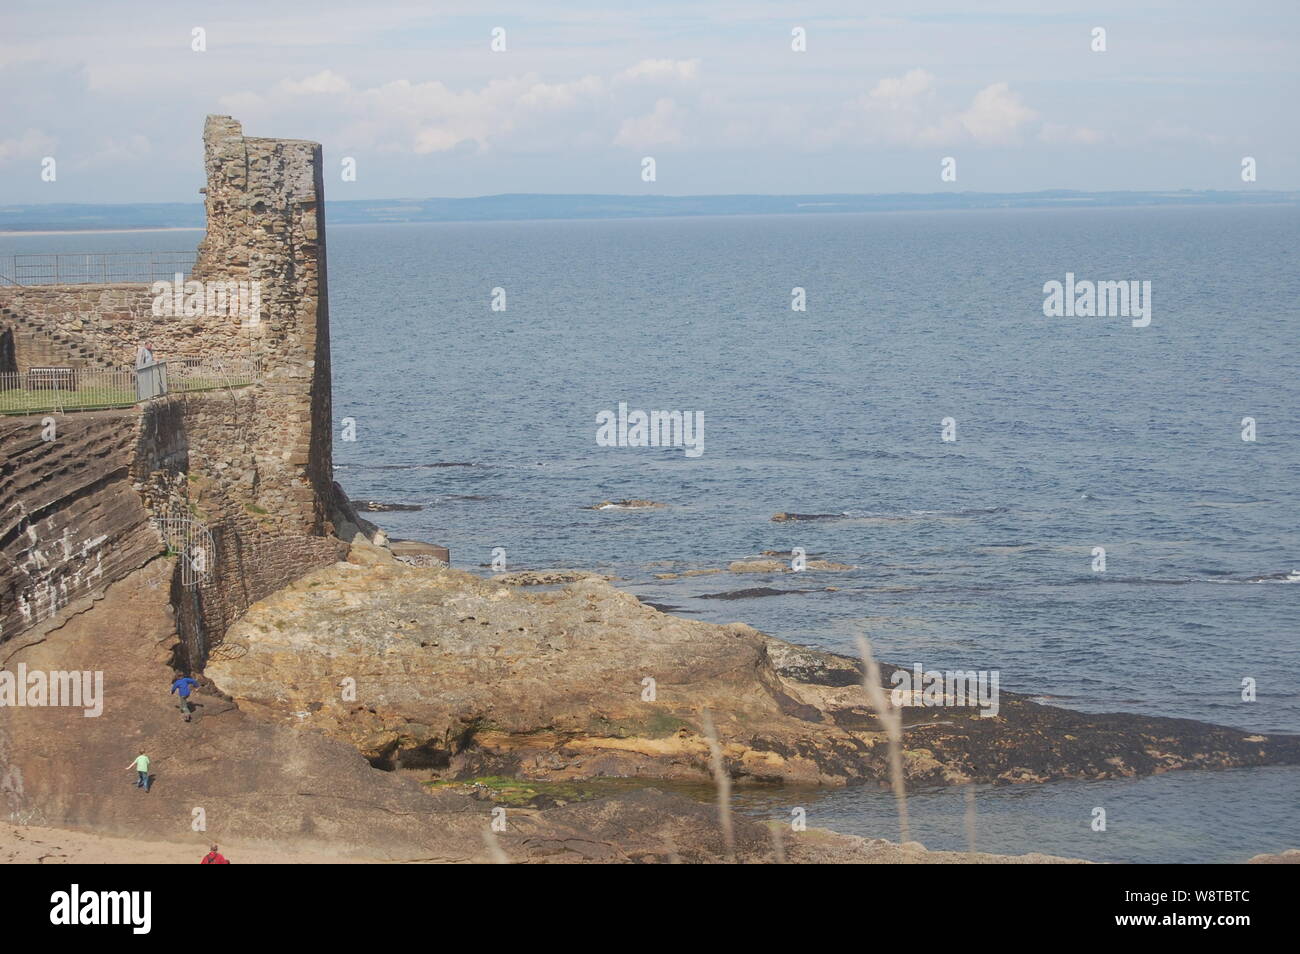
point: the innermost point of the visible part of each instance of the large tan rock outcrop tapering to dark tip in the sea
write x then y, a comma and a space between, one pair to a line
443, 671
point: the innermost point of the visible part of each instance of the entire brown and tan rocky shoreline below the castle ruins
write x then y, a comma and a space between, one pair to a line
379, 712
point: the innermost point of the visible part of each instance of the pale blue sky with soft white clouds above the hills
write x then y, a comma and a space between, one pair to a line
417, 97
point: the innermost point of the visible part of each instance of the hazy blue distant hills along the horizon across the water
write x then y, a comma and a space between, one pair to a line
75, 218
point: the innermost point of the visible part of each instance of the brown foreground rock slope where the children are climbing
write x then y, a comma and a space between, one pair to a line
271, 792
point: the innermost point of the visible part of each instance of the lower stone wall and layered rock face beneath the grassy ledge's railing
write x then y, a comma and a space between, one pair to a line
80, 513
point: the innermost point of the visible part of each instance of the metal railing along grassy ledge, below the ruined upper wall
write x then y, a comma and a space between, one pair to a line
92, 389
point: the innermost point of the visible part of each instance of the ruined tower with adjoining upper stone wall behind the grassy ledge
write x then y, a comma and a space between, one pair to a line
266, 227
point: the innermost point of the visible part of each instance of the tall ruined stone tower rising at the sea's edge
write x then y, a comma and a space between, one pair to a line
267, 223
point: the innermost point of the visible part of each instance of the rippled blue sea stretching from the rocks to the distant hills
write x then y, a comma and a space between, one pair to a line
973, 554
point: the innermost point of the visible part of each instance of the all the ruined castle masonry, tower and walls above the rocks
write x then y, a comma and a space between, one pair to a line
252, 465
